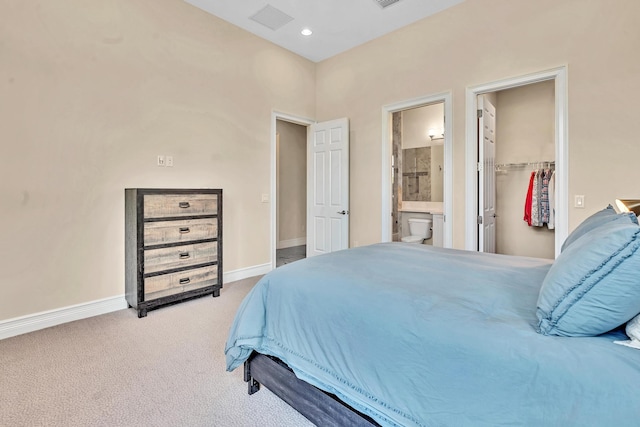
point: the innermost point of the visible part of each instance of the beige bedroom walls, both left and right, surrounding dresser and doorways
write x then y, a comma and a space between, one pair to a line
91, 92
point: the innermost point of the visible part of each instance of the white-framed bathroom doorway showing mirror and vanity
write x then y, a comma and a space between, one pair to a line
417, 162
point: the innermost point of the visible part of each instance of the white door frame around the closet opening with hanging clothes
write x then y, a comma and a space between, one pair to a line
561, 114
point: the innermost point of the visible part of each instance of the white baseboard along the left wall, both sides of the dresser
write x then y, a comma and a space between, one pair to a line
33, 322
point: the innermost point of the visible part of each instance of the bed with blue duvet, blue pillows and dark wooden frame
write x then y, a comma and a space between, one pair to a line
399, 334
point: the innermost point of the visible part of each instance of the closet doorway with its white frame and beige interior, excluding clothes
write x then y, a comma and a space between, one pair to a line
537, 140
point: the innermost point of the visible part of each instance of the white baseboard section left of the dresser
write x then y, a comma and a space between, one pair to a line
45, 319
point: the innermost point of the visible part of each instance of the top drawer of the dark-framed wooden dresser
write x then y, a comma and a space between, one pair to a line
176, 205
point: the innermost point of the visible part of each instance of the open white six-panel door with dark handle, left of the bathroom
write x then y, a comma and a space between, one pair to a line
328, 187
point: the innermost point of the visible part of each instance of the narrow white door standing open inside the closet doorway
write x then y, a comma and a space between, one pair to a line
486, 176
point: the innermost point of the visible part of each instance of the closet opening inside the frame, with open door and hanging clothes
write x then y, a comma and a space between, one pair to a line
523, 143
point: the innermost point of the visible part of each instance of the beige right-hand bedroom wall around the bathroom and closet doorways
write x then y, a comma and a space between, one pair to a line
596, 39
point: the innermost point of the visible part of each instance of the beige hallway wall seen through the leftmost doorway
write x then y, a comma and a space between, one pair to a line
292, 184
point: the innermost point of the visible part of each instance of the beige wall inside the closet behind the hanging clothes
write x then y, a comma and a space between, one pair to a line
524, 133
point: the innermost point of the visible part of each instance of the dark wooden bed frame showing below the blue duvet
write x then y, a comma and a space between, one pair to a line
318, 406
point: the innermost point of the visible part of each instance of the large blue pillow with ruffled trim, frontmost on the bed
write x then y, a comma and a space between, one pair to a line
594, 285
